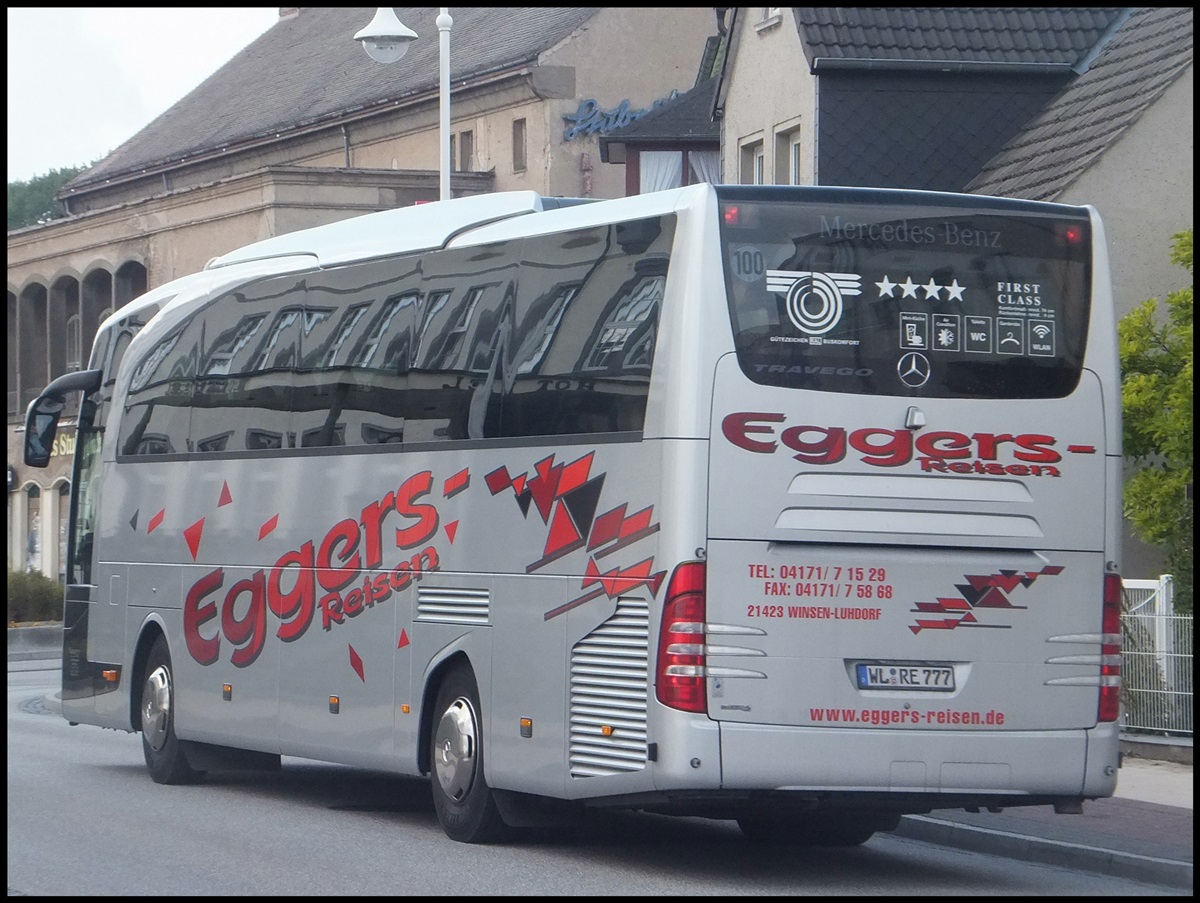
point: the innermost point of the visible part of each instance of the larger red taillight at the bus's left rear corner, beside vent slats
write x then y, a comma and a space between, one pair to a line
680, 674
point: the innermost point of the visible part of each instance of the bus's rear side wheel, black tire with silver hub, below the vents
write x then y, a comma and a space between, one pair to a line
466, 808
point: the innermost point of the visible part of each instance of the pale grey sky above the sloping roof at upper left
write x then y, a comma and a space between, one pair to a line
82, 81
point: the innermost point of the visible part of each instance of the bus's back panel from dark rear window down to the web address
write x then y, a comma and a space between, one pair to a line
908, 470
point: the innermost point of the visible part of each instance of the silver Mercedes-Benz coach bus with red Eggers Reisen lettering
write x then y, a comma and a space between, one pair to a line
795, 506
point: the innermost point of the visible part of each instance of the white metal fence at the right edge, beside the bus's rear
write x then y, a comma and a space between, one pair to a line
1156, 667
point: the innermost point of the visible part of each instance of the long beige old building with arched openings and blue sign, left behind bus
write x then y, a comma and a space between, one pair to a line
302, 129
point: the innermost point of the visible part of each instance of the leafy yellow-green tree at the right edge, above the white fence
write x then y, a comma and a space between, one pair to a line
1156, 362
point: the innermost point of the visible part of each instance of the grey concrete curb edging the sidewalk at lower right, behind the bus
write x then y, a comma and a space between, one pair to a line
1054, 853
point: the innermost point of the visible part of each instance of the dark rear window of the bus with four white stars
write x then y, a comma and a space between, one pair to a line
907, 297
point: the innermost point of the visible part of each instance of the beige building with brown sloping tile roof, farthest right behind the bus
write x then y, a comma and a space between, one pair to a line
1119, 137
